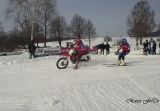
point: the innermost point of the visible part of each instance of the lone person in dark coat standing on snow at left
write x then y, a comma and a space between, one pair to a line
32, 49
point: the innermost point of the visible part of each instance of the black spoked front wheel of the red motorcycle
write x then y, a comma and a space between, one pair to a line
62, 63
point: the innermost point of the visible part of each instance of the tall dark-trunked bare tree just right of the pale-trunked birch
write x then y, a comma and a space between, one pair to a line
47, 12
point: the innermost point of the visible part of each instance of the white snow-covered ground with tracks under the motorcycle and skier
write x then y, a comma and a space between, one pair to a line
37, 85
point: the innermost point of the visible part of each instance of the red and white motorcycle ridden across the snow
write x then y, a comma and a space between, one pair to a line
70, 56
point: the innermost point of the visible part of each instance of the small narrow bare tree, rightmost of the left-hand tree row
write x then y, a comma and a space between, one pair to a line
90, 30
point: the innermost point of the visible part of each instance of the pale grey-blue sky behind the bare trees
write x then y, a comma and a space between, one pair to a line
109, 16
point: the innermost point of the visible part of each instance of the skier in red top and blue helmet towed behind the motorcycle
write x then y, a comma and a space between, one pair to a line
123, 50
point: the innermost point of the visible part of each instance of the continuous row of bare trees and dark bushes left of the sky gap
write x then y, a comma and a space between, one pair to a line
40, 20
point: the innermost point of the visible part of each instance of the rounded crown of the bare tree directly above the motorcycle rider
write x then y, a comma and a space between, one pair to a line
78, 25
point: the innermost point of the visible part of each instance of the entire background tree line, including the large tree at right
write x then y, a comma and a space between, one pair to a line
40, 20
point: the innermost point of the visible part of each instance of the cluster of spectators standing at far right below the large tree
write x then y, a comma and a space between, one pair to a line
150, 47
